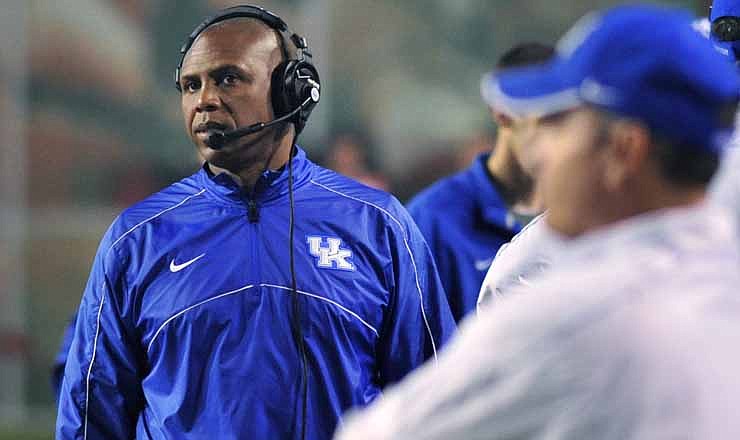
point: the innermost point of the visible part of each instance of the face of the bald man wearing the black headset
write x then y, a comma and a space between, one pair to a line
225, 83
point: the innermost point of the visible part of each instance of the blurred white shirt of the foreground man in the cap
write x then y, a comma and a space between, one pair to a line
633, 336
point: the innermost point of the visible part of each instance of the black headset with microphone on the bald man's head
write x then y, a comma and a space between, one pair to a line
295, 83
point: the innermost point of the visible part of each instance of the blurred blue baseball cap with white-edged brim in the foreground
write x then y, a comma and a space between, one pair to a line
642, 62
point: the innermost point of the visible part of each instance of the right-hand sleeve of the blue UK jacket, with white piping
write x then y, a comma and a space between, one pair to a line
419, 320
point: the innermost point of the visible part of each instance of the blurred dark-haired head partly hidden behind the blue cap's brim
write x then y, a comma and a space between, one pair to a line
517, 131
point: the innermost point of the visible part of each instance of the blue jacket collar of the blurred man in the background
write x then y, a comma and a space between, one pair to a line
491, 205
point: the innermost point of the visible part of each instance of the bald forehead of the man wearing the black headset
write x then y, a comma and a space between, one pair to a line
243, 42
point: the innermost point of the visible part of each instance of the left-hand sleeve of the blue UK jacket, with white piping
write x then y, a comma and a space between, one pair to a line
101, 396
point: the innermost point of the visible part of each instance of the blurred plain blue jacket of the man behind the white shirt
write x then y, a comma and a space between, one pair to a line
465, 221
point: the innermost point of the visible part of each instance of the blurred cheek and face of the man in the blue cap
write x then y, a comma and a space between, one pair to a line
574, 163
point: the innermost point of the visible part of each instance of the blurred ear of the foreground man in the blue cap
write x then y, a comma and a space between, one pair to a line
627, 153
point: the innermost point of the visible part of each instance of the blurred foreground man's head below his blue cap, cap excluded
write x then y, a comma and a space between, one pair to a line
599, 167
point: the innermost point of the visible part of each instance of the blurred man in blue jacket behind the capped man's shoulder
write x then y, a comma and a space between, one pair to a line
466, 217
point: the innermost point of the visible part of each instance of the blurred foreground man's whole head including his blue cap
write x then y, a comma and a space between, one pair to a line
624, 138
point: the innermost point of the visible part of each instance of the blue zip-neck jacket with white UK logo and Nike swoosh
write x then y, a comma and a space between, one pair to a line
184, 330
